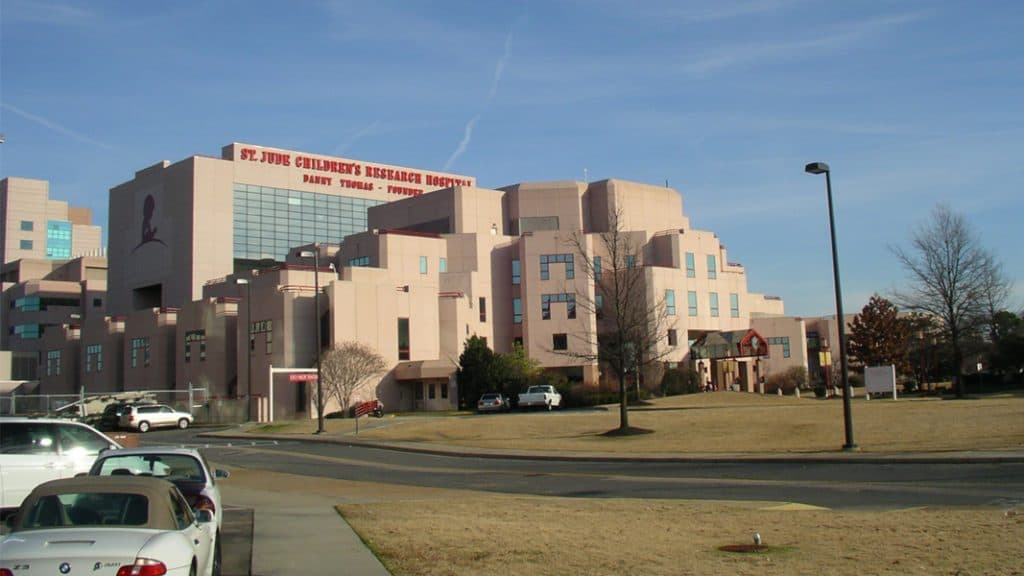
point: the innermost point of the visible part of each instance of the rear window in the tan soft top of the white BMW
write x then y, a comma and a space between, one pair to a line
87, 510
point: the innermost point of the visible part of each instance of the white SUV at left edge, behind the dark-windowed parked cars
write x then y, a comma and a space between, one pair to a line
36, 450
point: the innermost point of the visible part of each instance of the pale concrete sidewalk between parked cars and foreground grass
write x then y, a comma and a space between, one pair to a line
301, 534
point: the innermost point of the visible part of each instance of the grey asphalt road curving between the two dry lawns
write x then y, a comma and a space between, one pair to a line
847, 485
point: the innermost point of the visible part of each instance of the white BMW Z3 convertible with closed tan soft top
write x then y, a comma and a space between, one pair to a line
109, 526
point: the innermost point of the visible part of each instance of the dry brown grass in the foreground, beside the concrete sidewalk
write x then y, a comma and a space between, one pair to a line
493, 534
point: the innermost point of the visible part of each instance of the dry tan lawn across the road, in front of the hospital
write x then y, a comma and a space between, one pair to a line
724, 423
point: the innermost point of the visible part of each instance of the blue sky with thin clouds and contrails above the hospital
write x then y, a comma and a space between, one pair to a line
910, 103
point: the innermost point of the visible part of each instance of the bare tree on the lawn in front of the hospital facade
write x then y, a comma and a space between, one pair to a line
631, 323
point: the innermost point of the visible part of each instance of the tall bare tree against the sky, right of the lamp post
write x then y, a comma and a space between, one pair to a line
953, 279
